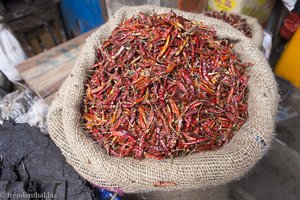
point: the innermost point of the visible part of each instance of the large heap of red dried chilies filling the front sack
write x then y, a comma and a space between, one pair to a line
163, 86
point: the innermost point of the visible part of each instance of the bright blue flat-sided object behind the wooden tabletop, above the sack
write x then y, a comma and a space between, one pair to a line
80, 16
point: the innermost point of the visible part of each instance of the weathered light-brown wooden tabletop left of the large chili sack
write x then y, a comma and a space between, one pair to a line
45, 72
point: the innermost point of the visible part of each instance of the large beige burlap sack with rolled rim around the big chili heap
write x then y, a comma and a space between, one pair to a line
201, 170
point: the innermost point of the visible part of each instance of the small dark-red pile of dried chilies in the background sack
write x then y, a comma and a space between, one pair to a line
234, 20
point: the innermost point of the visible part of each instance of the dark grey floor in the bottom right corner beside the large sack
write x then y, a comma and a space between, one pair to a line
276, 177
